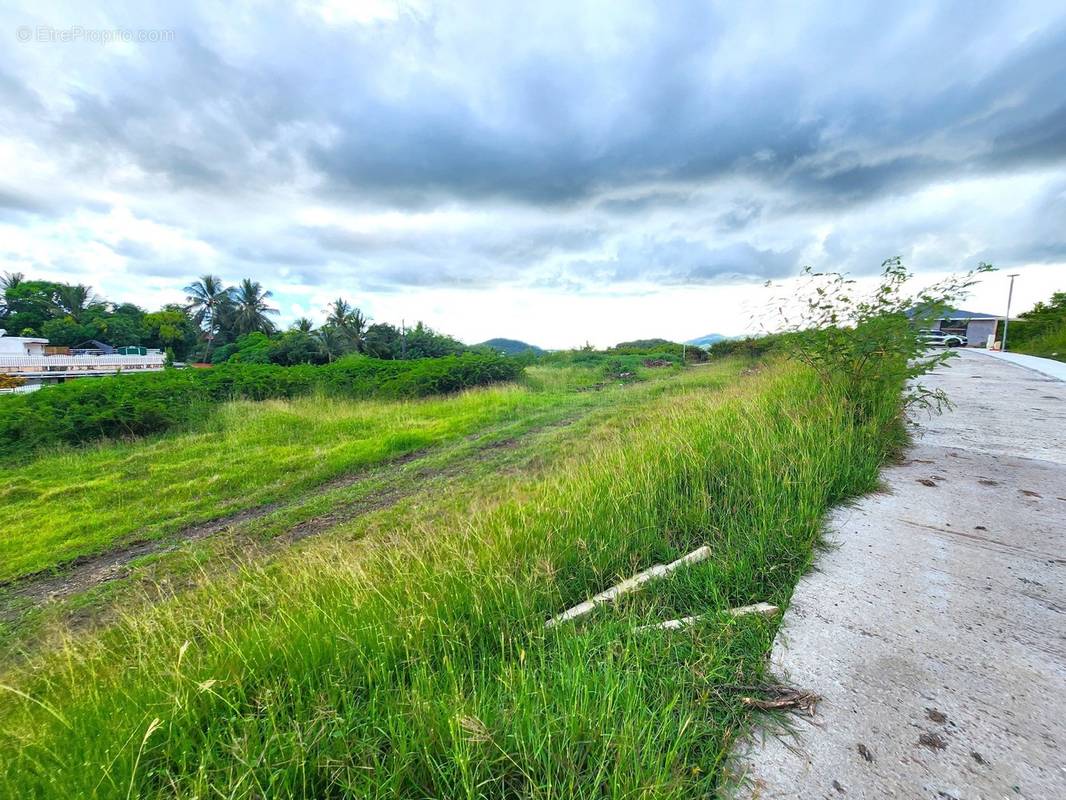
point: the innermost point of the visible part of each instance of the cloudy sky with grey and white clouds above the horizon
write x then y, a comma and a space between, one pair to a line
555, 172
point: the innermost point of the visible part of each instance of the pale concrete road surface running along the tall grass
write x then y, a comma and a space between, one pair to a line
935, 630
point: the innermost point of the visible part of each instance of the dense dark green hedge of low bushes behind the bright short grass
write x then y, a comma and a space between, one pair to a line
88, 410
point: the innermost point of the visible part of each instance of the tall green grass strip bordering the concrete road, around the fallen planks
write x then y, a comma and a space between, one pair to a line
416, 665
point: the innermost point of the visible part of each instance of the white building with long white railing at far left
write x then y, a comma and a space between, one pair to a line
26, 358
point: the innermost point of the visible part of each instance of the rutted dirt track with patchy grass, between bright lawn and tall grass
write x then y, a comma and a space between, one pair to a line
476, 469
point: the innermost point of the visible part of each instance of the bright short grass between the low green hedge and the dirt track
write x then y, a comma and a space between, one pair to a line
80, 502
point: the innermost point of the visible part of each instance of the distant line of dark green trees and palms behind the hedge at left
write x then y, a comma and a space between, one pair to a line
216, 324
